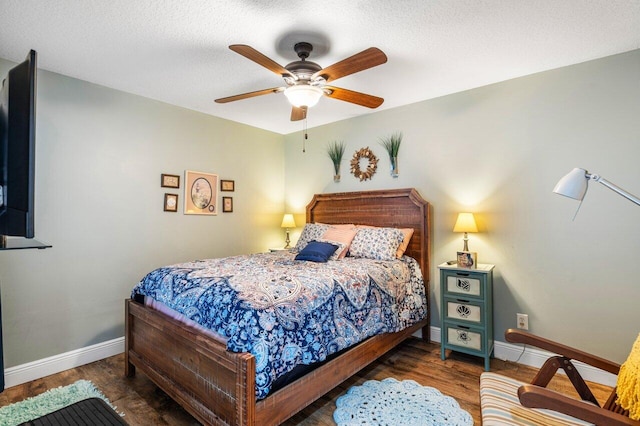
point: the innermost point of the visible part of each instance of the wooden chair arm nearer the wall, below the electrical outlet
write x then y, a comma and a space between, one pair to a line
519, 336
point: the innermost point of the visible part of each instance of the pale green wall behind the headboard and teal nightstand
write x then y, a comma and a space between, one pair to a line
498, 151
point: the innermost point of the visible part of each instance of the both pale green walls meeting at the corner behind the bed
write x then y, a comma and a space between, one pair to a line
497, 150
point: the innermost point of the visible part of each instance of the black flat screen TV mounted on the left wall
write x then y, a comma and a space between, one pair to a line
17, 149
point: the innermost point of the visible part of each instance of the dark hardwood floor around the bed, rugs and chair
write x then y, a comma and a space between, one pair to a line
144, 404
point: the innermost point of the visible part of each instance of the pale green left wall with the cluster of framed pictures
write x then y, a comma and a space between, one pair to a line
100, 153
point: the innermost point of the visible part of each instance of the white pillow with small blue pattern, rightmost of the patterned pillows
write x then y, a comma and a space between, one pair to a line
376, 243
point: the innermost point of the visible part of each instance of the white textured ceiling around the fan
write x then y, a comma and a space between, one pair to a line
177, 51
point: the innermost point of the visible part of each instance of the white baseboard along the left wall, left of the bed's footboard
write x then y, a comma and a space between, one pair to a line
24, 373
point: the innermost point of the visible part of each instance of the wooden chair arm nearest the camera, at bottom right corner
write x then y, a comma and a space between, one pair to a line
532, 396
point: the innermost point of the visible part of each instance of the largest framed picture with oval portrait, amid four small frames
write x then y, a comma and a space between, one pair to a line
200, 193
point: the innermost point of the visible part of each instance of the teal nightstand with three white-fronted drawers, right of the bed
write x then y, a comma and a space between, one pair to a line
466, 310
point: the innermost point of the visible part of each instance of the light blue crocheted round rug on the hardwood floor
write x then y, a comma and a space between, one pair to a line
391, 402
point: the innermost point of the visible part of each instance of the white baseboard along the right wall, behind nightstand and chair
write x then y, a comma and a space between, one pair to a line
533, 357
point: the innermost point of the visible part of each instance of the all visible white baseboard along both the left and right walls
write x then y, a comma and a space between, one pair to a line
24, 373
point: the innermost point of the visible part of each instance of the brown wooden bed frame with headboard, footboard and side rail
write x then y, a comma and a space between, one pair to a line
217, 386
